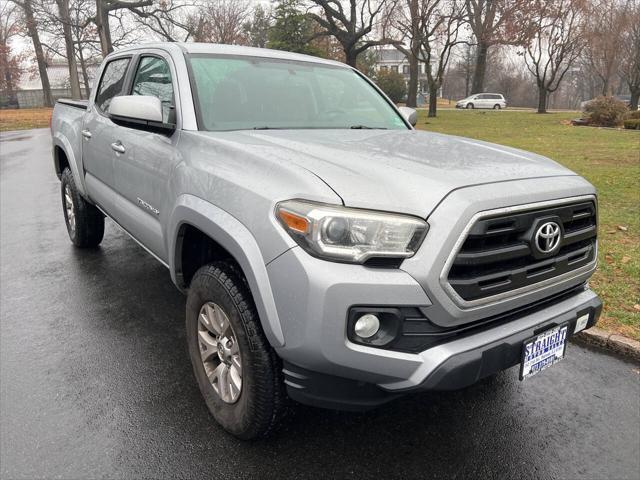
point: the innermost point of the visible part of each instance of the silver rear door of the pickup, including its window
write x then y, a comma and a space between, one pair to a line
98, 133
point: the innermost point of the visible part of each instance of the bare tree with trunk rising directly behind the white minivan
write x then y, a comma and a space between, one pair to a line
494, 22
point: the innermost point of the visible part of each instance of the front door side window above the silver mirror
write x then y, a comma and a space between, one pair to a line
153, 77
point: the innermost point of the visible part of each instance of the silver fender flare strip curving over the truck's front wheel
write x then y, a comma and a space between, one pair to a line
232, 235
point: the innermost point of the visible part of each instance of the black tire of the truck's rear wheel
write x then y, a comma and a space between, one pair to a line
88, 229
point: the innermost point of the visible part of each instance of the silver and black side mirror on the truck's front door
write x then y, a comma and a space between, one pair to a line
143, 112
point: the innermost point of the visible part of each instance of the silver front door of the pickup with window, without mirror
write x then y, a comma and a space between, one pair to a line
142, 176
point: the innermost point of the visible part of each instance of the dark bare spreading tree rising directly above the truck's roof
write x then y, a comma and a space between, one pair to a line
352, 25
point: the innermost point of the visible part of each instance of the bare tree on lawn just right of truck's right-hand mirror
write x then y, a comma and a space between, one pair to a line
440, 24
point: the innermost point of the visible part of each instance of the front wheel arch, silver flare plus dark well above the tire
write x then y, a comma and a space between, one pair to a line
221, 237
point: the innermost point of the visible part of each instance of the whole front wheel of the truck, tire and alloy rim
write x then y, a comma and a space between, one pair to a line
238, 372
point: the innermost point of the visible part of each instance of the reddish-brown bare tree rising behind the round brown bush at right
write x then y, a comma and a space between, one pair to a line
606, 22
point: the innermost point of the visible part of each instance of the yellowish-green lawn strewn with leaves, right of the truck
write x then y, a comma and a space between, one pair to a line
609, 159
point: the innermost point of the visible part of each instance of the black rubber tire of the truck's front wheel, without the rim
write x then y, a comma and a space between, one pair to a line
260, 404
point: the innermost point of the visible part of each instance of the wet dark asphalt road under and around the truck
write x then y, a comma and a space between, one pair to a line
95, 380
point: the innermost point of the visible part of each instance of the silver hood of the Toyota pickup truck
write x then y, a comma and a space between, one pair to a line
402, 171
